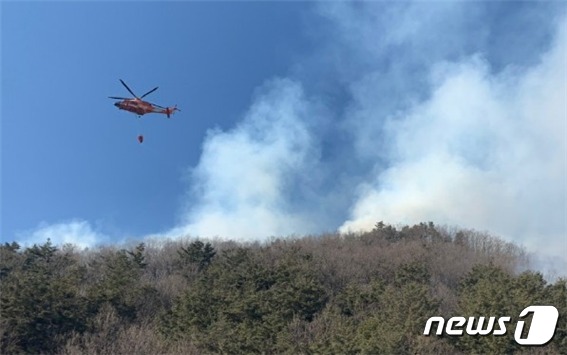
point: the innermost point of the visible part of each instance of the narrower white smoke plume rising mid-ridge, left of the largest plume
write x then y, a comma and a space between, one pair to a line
243, 179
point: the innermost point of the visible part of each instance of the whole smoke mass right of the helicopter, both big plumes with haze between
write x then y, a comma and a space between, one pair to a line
438, 116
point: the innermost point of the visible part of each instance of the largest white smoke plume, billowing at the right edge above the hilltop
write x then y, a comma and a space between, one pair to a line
484, 151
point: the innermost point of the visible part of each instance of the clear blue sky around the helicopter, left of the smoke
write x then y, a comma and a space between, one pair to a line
67, 151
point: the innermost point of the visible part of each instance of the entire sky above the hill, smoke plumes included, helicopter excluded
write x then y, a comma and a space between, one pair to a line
298, 117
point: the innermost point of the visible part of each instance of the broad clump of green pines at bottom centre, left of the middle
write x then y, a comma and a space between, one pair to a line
240, 304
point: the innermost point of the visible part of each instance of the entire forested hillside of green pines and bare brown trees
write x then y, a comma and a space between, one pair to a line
329, 294
